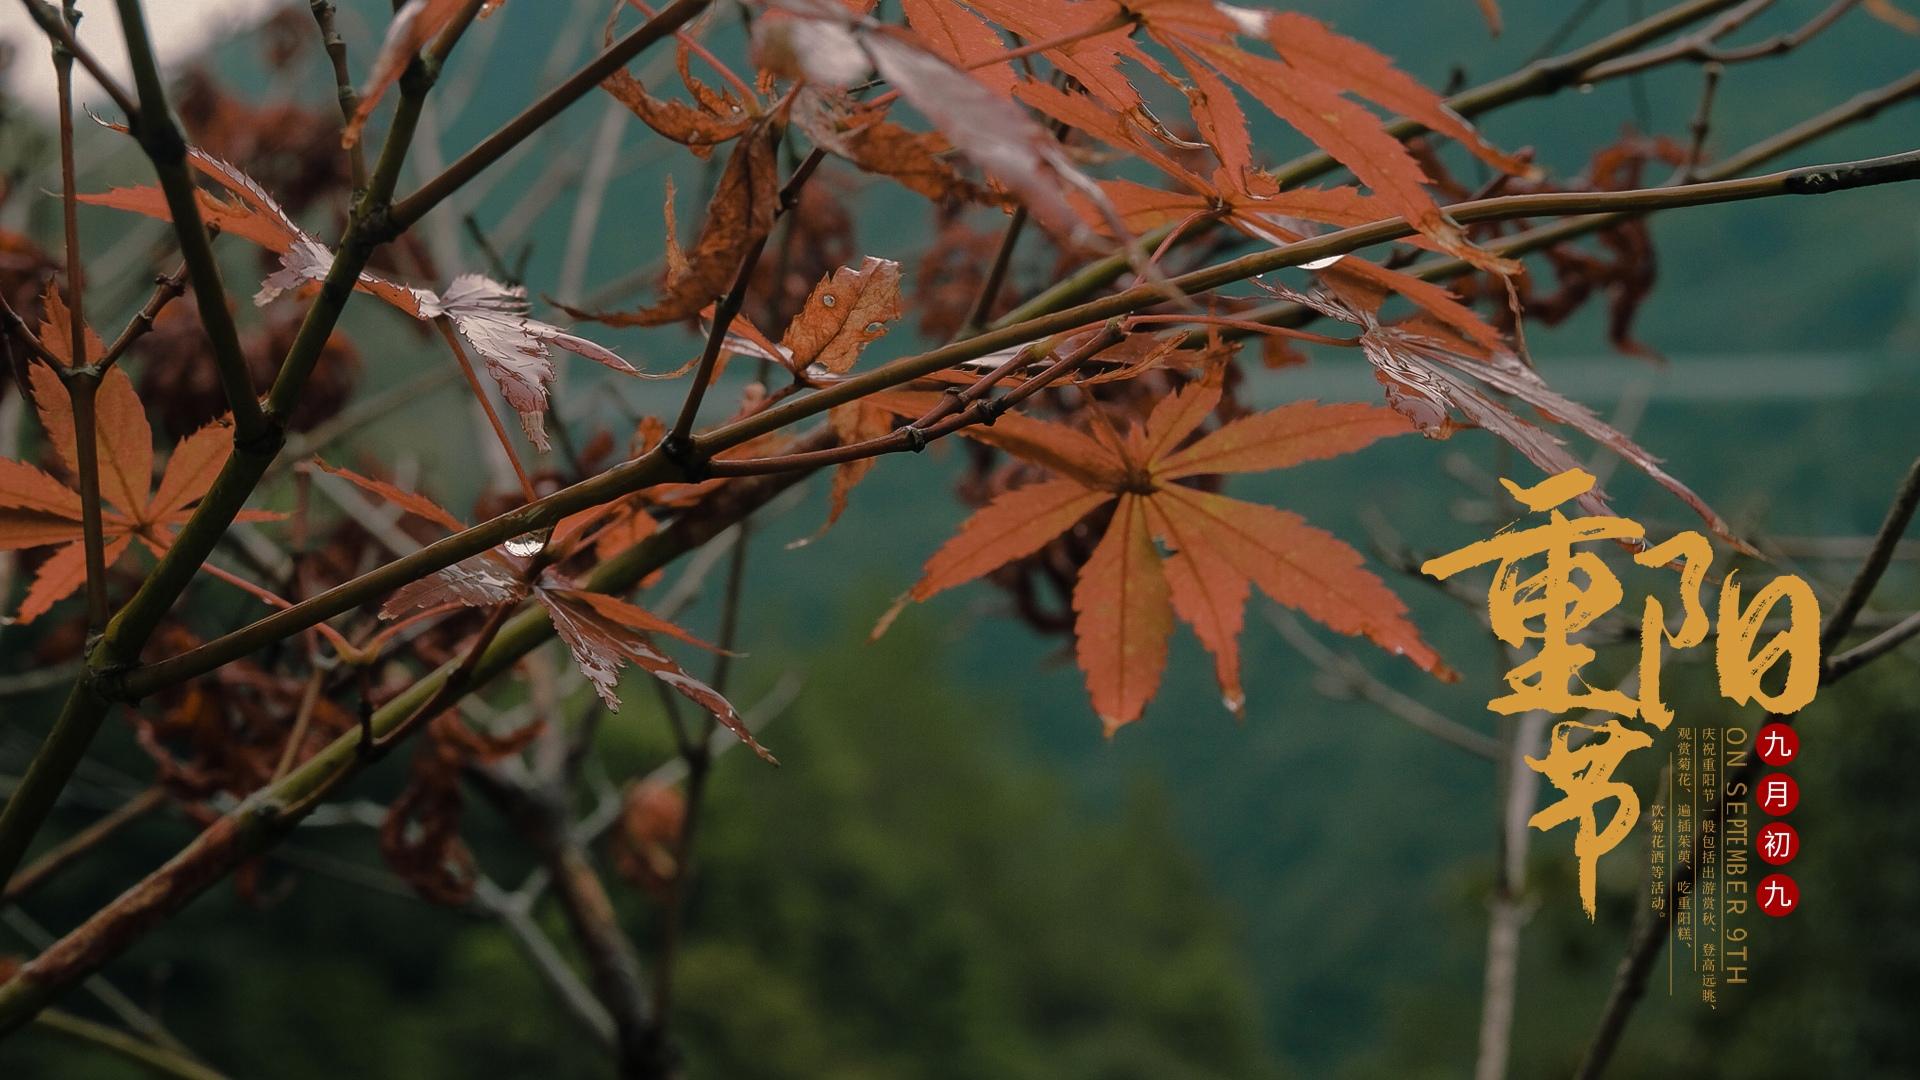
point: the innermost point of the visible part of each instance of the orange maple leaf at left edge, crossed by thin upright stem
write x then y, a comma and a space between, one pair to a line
39, 510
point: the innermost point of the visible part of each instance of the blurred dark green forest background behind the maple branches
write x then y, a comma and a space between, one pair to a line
955, 873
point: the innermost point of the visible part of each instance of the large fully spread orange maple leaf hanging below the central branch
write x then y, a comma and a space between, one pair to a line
1216, 549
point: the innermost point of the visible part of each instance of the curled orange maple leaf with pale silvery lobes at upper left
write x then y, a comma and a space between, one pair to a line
492, 318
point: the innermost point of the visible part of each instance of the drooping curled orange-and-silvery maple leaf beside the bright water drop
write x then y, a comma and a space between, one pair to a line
600, 631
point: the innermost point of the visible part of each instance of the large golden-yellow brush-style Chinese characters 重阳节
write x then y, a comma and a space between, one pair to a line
1564, 597
